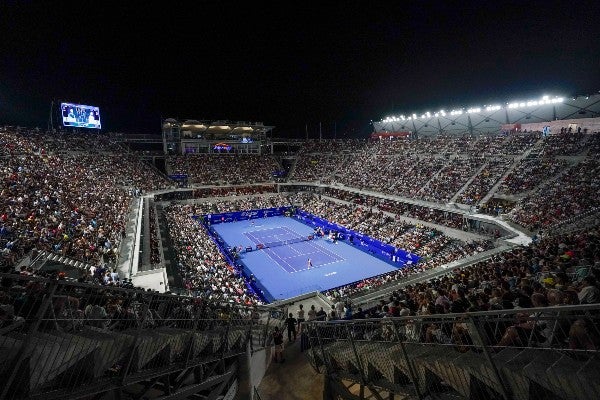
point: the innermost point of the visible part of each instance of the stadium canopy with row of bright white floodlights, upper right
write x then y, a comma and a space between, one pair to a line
489, 118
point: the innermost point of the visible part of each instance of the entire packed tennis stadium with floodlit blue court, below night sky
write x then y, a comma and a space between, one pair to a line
449, 252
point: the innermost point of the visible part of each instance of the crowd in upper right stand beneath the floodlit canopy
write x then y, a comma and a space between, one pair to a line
436, 169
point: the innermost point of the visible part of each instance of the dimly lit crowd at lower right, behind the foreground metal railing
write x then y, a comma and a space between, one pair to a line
554, 271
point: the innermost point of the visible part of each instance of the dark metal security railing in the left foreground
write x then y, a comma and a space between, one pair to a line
59, 337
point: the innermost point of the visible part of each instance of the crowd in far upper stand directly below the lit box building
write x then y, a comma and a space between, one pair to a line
211, 169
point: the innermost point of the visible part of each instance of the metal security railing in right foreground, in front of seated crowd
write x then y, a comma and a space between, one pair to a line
534, 353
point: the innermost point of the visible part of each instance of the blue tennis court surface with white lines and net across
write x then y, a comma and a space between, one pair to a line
285, 271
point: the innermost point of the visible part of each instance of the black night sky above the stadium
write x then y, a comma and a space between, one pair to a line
289, 64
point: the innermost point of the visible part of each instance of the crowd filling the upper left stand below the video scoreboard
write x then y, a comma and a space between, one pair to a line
68, 203
